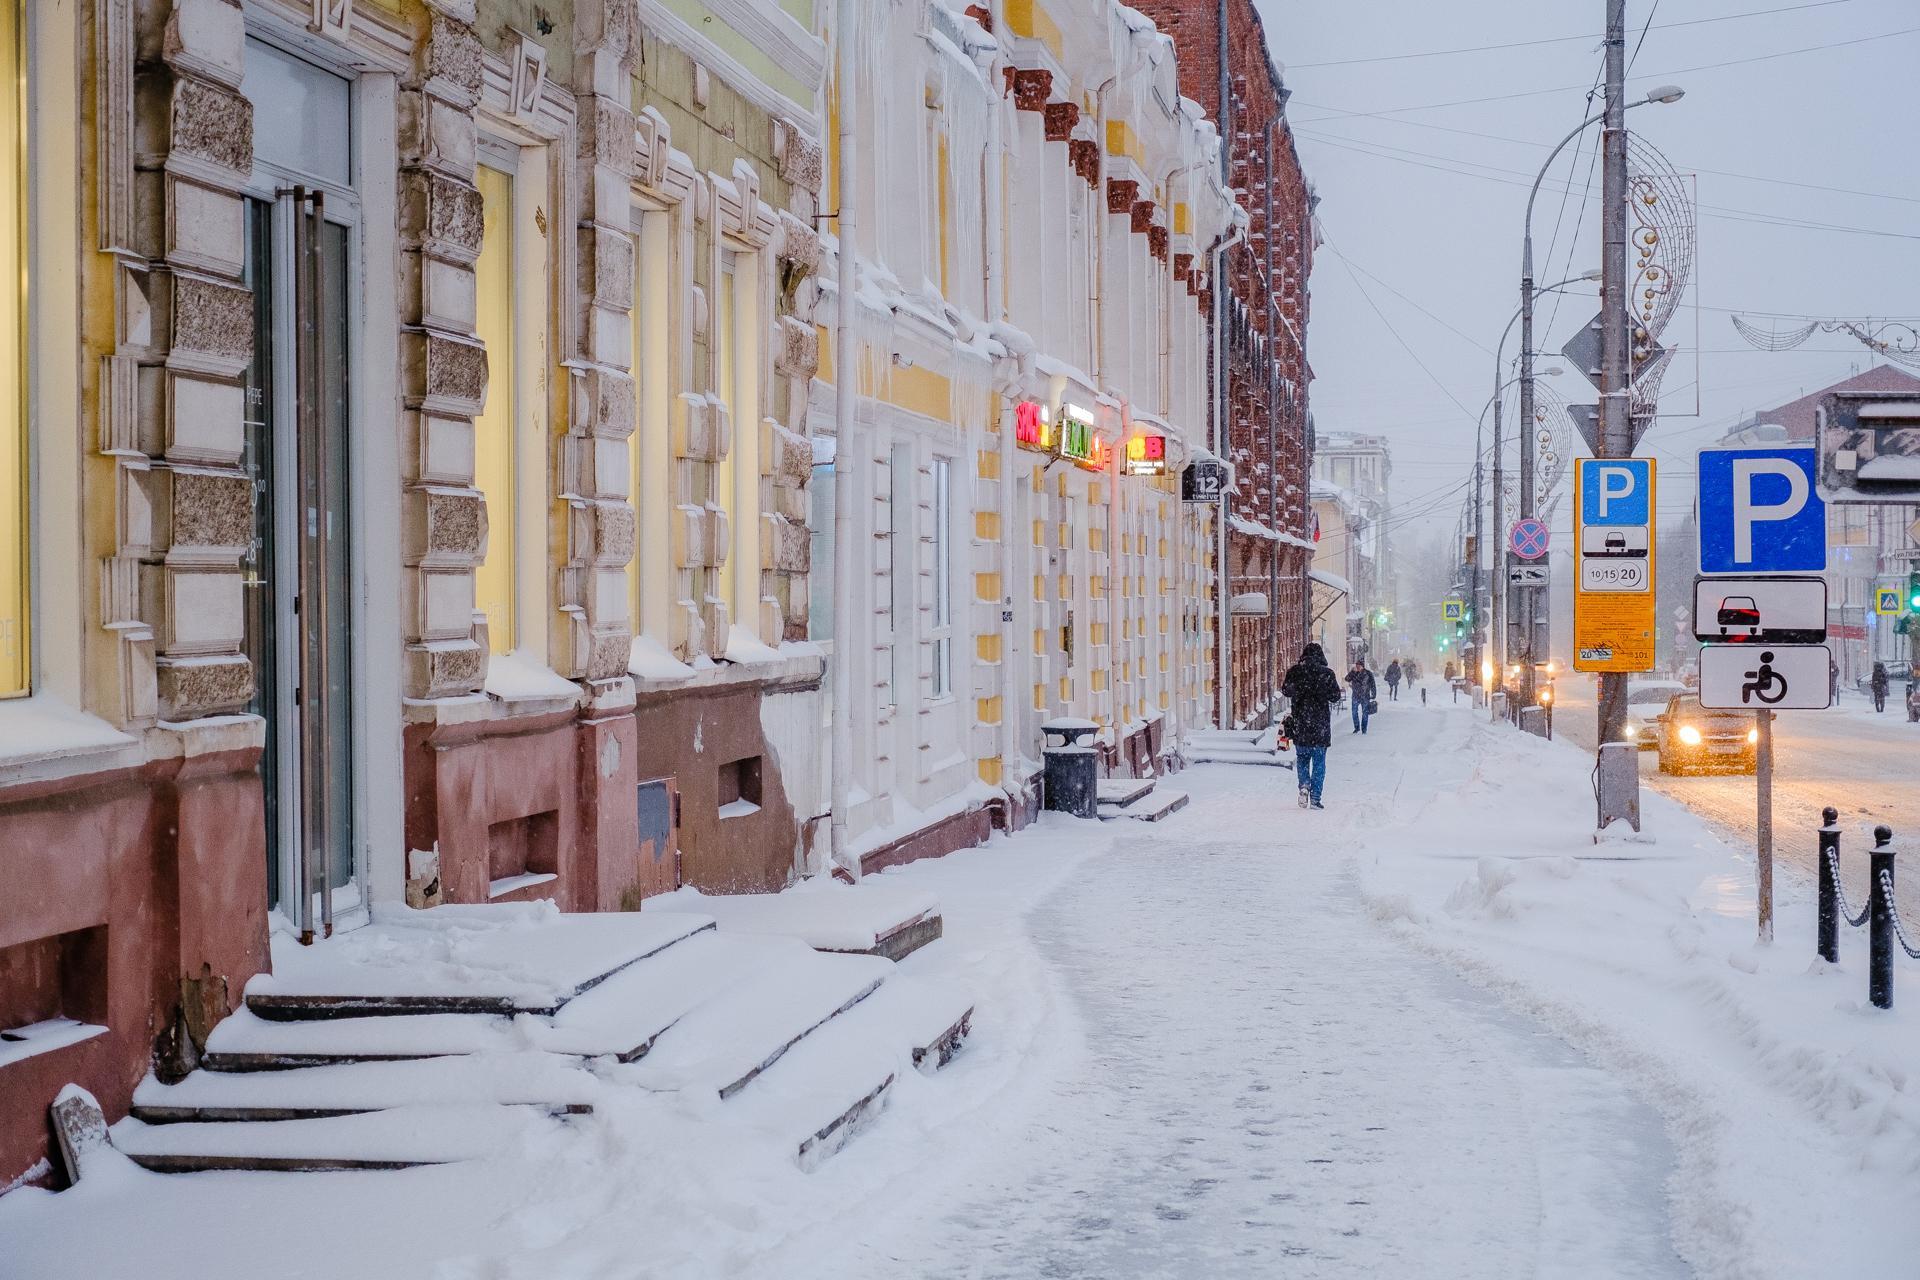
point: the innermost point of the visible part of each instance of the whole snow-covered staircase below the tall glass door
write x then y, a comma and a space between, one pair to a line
466, 1033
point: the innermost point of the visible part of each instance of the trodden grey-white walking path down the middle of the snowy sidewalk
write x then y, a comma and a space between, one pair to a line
1268, 1083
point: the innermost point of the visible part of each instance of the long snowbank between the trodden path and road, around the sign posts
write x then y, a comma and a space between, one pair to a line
1790, 1101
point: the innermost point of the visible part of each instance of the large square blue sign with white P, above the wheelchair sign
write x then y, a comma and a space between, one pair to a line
1760, 511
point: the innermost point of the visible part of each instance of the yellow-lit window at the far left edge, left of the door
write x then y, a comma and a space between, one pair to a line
14, 669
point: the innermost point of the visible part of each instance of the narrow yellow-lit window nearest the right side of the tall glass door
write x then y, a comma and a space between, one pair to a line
494, 437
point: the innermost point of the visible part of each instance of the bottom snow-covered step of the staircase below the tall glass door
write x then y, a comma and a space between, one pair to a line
398, 1139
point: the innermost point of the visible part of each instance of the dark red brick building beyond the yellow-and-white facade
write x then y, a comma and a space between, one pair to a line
1270, 433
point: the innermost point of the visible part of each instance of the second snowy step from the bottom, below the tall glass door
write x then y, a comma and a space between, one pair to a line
525, 1079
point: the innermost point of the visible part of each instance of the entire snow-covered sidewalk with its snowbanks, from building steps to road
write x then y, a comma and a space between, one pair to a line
1431, 1031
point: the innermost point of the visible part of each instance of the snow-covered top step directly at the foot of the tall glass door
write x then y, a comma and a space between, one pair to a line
462, 960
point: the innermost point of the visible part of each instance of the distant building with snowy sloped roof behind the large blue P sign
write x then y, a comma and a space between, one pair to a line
1867, 546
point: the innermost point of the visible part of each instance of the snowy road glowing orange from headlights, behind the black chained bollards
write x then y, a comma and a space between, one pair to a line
1865, 765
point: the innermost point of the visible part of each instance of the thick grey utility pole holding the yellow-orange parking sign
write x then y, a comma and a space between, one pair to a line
1616, 396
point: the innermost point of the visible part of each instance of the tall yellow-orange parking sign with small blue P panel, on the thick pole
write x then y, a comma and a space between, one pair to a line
1614, 506
